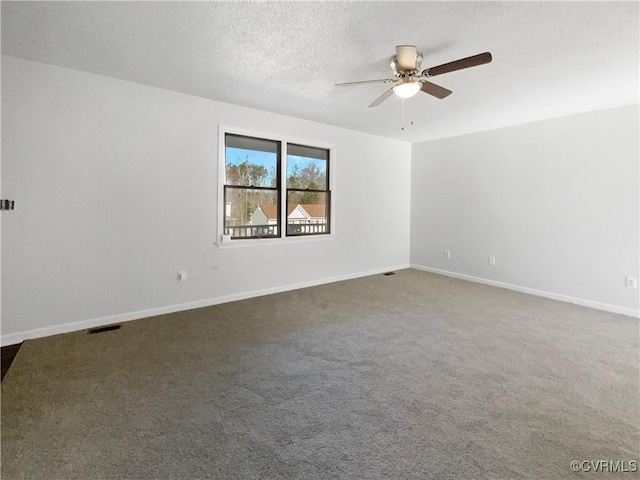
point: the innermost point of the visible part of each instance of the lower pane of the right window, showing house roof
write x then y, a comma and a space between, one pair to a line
307, 212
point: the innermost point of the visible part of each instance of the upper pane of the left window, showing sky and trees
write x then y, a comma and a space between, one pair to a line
251, 161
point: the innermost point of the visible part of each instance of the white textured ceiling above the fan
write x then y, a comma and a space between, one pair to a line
549, 58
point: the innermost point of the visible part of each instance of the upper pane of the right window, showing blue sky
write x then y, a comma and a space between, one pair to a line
307, 167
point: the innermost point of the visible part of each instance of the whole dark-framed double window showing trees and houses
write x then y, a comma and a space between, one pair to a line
254, 193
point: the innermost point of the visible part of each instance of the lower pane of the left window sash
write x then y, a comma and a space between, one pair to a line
251, 213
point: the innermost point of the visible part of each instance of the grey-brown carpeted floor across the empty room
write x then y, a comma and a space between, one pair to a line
410, 376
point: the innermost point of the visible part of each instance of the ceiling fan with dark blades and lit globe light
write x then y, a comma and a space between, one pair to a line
409, 80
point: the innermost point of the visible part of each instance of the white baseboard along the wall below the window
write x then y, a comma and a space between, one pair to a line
13, 338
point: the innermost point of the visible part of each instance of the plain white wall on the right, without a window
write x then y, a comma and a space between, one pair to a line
556, 202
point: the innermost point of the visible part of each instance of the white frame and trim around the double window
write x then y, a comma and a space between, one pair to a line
223, 241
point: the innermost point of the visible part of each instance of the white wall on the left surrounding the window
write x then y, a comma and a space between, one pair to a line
116, 188
